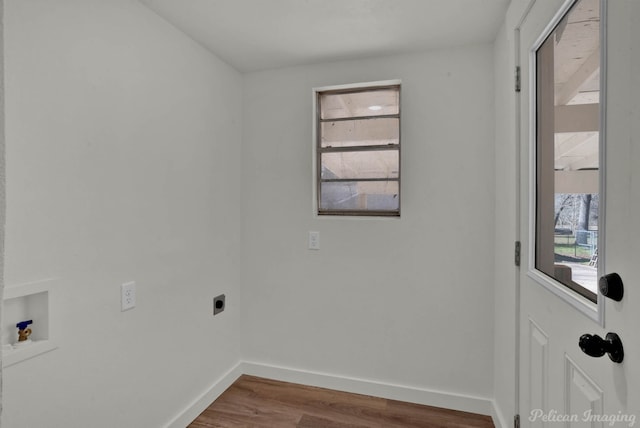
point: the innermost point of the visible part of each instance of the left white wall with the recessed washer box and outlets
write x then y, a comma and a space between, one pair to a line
123, 147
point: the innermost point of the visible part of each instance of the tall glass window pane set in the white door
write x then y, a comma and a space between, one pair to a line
568, 158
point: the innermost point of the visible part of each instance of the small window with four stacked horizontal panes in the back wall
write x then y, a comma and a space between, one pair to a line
358, 151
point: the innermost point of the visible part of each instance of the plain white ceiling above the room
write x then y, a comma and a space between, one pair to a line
256, 35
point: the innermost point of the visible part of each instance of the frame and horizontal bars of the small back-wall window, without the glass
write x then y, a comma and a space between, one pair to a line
318, 150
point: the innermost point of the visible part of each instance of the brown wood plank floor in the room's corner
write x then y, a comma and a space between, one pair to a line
258, 402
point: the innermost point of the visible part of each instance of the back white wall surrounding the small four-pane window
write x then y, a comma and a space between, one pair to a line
409, 301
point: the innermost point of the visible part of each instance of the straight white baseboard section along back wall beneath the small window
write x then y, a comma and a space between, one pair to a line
465, 403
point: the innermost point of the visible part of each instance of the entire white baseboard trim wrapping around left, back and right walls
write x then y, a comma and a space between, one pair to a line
448, 400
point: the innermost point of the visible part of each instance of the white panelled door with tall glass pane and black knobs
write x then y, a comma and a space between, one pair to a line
579, 207
